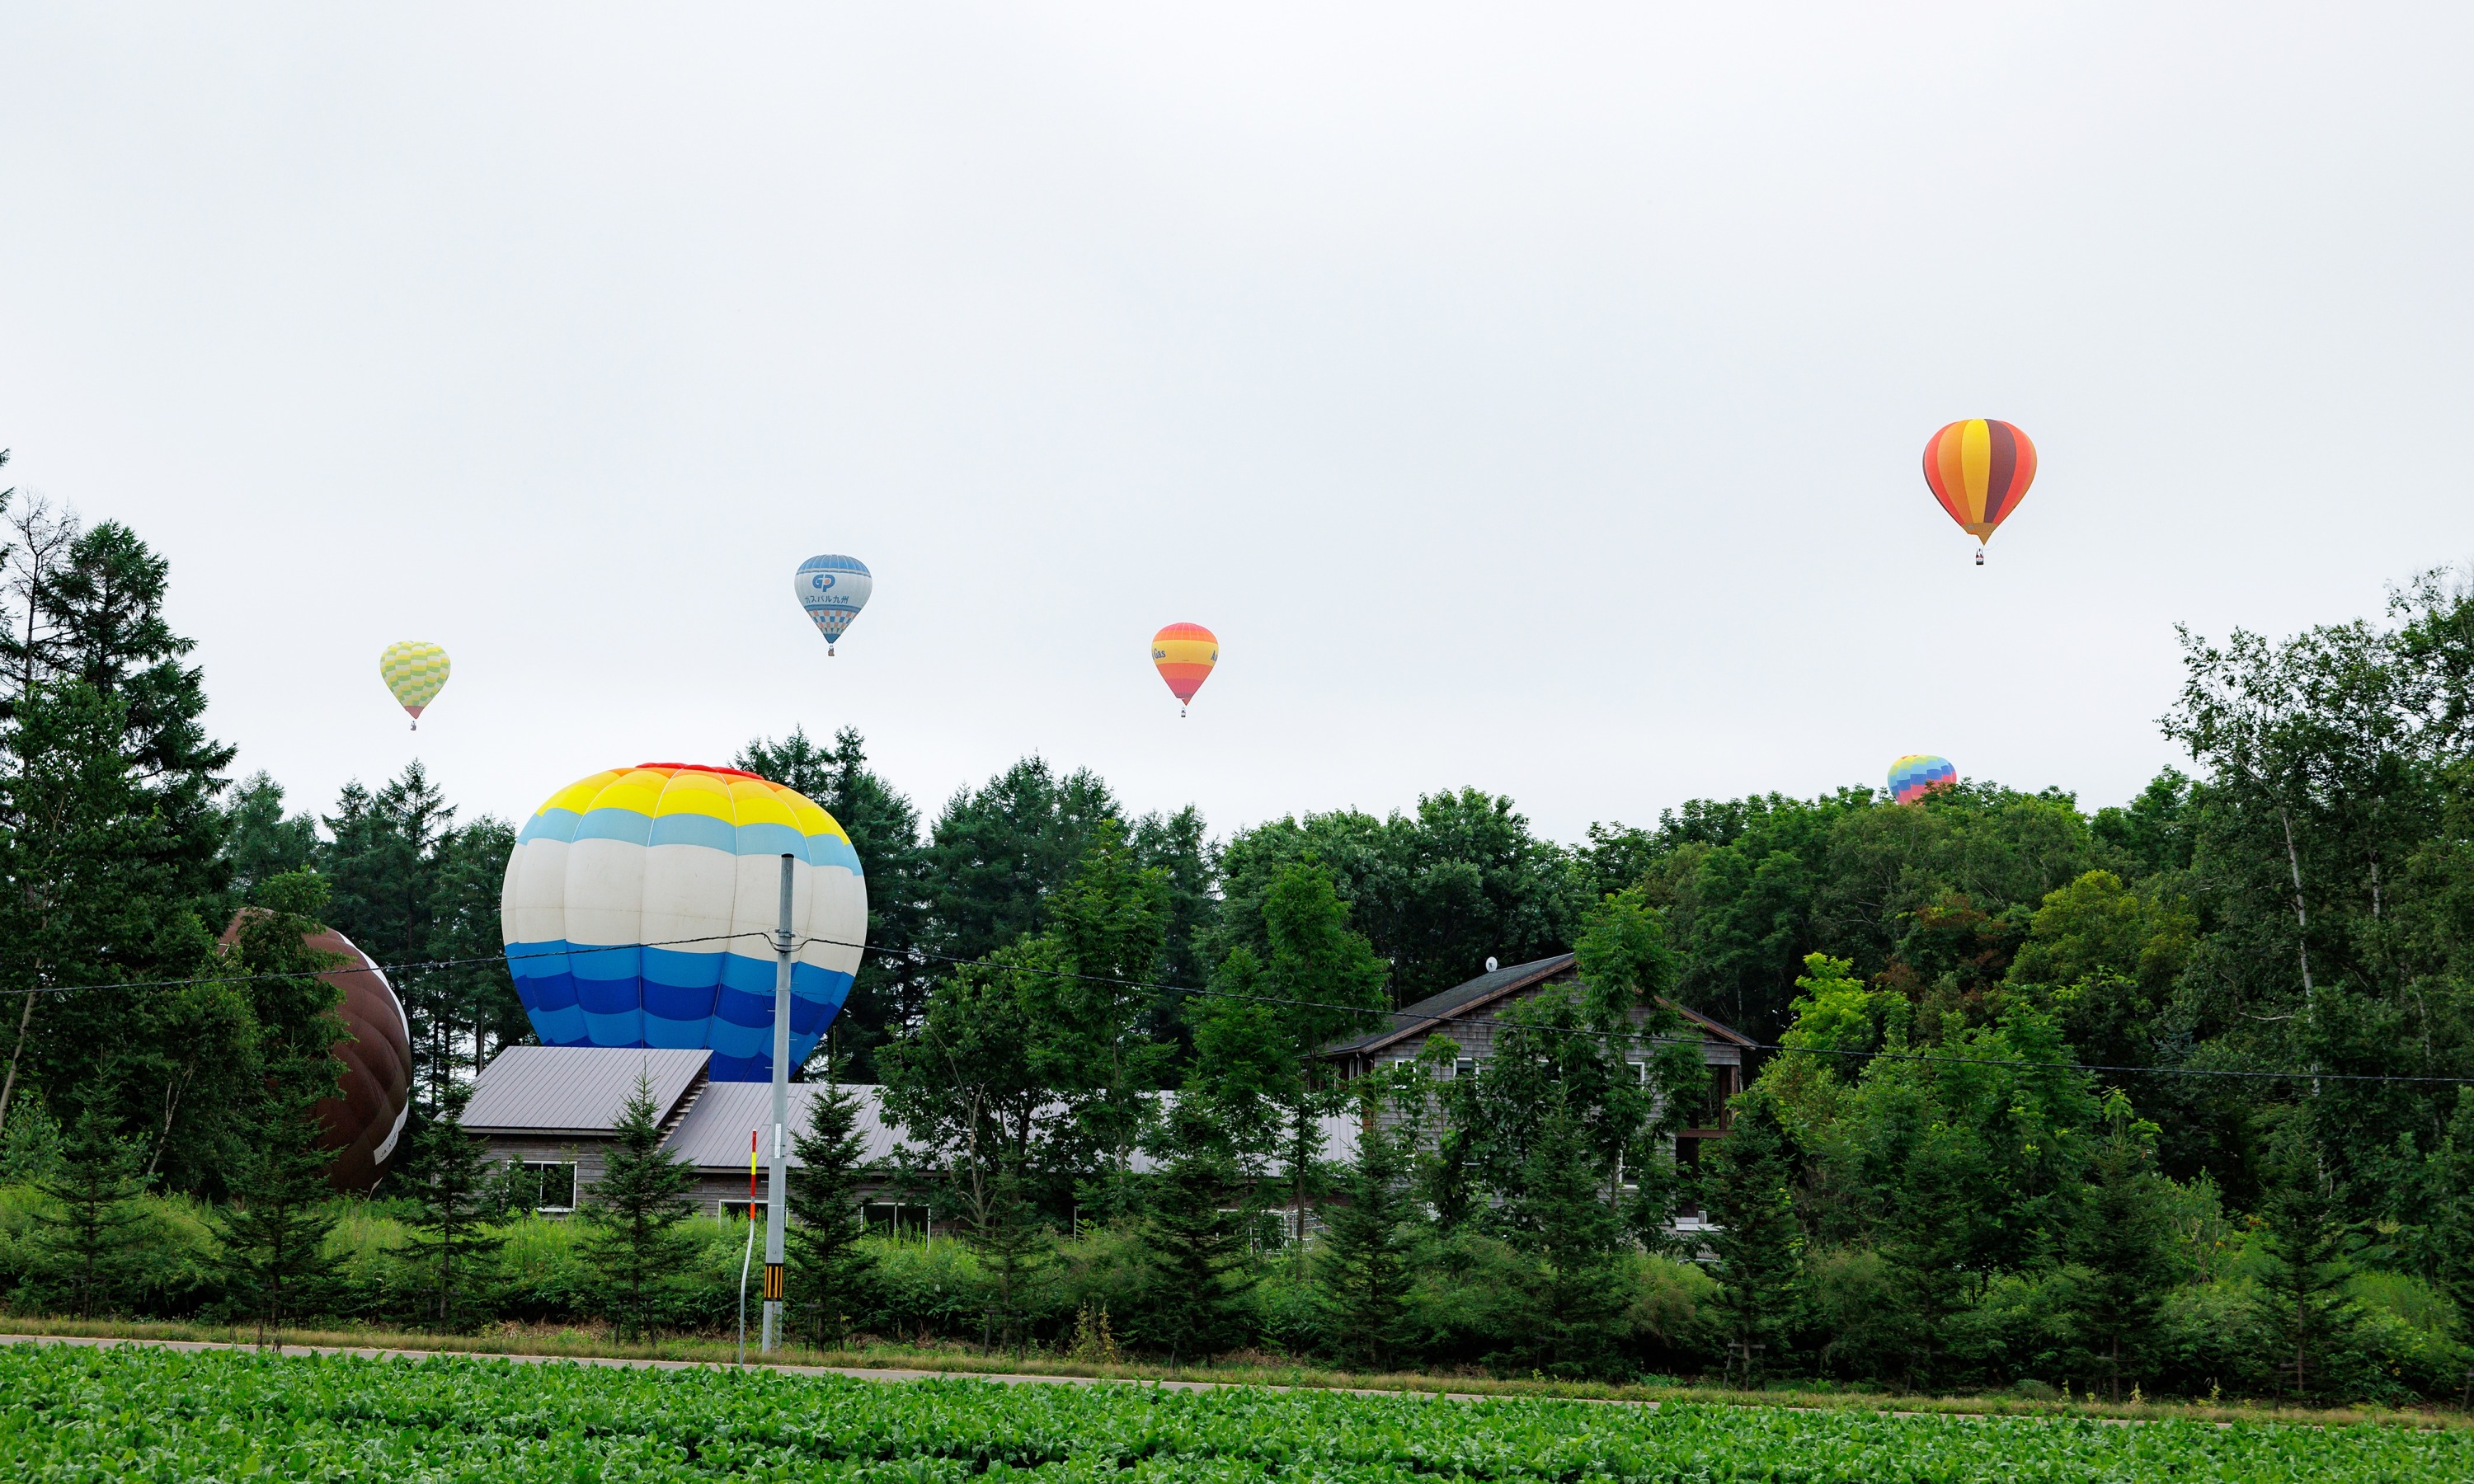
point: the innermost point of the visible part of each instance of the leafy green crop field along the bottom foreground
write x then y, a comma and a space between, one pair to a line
137, 1414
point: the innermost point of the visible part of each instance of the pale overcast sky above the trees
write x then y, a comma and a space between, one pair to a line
1530, 397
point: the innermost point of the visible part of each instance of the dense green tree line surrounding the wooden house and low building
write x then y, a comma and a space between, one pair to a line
2164, 1094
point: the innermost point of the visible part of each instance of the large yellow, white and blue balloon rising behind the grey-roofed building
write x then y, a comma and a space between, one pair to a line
642, 902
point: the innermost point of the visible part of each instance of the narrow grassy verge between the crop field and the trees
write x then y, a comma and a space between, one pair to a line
585, 1344
